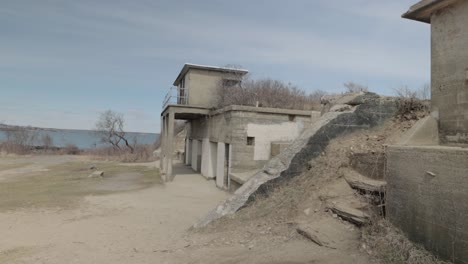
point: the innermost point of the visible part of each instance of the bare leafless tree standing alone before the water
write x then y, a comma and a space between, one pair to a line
110, 128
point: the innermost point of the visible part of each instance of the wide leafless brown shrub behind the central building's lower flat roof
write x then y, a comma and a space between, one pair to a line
267, 93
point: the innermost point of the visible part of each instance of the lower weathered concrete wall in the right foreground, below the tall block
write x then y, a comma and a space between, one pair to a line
427, 197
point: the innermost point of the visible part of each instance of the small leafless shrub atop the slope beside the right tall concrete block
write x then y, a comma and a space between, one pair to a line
410, 105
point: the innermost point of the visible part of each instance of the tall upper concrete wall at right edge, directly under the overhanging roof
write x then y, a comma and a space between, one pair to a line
450, 71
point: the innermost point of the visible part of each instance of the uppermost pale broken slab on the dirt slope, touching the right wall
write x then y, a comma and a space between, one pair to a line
358, 181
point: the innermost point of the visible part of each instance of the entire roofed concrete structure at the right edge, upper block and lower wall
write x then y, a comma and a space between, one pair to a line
427, 172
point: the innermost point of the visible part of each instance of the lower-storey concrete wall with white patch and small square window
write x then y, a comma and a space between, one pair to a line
234, 126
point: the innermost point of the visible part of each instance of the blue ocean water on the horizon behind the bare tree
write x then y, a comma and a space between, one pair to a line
83, 139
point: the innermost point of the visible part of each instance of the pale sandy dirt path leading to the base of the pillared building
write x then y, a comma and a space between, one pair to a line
130, 227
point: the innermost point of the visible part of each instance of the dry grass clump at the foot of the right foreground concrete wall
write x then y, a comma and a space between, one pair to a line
389, 246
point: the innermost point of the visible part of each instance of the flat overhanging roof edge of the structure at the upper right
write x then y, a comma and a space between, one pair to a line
423, 10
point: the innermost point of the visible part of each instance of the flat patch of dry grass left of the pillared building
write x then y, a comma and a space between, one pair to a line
66, 184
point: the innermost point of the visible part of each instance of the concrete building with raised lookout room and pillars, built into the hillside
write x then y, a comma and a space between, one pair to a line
228, 144
